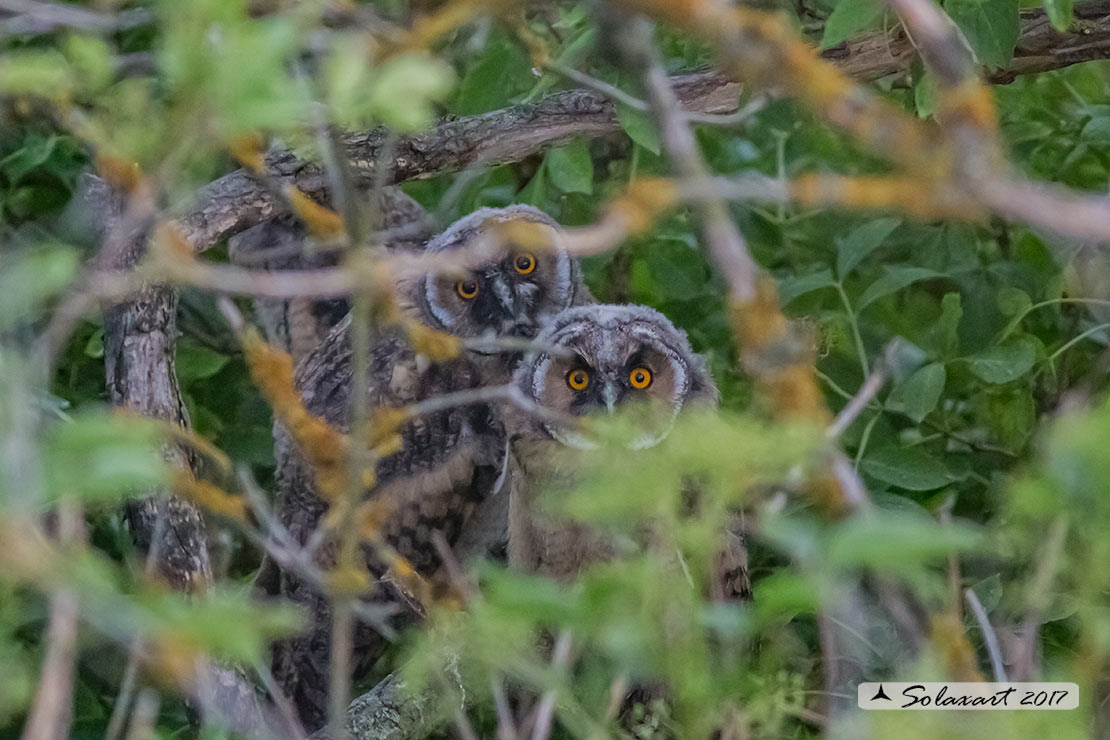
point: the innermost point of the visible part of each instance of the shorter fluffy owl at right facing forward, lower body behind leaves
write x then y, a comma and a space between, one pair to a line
612, 357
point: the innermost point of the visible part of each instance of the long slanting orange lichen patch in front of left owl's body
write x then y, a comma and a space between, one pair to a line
324, 447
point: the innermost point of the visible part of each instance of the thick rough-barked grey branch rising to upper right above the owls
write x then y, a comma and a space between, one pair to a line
238, 201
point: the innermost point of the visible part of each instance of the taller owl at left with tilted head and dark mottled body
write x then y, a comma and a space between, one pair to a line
442, 483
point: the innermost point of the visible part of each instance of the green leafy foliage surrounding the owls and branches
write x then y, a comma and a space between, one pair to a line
966, 451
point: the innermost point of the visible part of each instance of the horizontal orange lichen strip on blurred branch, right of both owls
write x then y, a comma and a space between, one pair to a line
920, 198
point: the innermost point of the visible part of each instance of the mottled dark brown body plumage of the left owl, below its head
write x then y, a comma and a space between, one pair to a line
448, 464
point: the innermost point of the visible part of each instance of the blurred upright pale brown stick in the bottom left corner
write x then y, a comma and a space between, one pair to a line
54, 703
